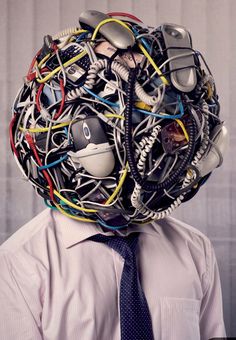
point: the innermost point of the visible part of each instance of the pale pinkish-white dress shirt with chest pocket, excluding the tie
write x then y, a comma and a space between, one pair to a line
56, 285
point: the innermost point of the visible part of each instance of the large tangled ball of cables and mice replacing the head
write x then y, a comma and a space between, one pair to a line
117, 135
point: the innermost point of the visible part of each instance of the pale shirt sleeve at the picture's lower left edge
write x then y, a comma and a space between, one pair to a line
16, 320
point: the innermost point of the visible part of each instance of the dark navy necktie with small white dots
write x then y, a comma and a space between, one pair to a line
135, 319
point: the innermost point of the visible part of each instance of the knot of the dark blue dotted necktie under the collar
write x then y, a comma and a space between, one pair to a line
125, 246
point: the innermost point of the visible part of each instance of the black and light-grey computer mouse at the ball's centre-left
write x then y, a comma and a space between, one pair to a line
92, 149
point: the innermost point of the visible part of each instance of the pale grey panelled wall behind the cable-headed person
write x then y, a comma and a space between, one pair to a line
23, 23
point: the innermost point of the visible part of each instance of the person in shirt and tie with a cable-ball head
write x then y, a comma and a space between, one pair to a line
116, 125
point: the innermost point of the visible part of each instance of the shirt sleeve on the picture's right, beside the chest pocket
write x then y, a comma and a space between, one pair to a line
211, 314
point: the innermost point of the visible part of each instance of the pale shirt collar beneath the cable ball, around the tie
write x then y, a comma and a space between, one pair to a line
74, 232
